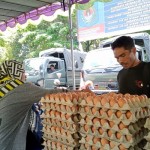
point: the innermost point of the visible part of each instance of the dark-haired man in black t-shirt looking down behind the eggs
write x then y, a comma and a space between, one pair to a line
134, 78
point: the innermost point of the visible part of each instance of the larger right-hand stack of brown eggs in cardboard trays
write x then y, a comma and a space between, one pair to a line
113, 121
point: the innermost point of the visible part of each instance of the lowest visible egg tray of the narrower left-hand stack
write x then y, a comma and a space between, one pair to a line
51, 145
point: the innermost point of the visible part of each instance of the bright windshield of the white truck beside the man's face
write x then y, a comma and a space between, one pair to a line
100, 59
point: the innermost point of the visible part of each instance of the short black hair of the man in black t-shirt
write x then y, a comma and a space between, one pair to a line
124, 41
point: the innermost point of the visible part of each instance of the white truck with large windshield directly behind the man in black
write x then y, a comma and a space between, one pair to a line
102, 68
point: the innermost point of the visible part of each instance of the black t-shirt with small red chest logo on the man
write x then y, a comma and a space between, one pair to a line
135, 80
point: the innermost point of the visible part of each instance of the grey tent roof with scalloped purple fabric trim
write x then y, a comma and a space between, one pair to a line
19, 11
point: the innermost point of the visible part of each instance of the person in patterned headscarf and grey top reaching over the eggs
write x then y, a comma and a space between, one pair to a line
16, 100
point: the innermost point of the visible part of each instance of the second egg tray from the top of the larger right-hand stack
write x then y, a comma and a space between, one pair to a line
134, 114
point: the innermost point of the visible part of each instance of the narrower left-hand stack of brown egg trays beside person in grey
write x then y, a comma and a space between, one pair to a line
60, 126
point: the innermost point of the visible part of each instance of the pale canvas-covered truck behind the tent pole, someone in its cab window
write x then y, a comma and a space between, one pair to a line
37, 68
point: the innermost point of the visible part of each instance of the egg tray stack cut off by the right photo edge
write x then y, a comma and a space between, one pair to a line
147, 137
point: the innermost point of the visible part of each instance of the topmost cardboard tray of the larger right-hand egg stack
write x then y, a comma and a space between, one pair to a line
129, 105
